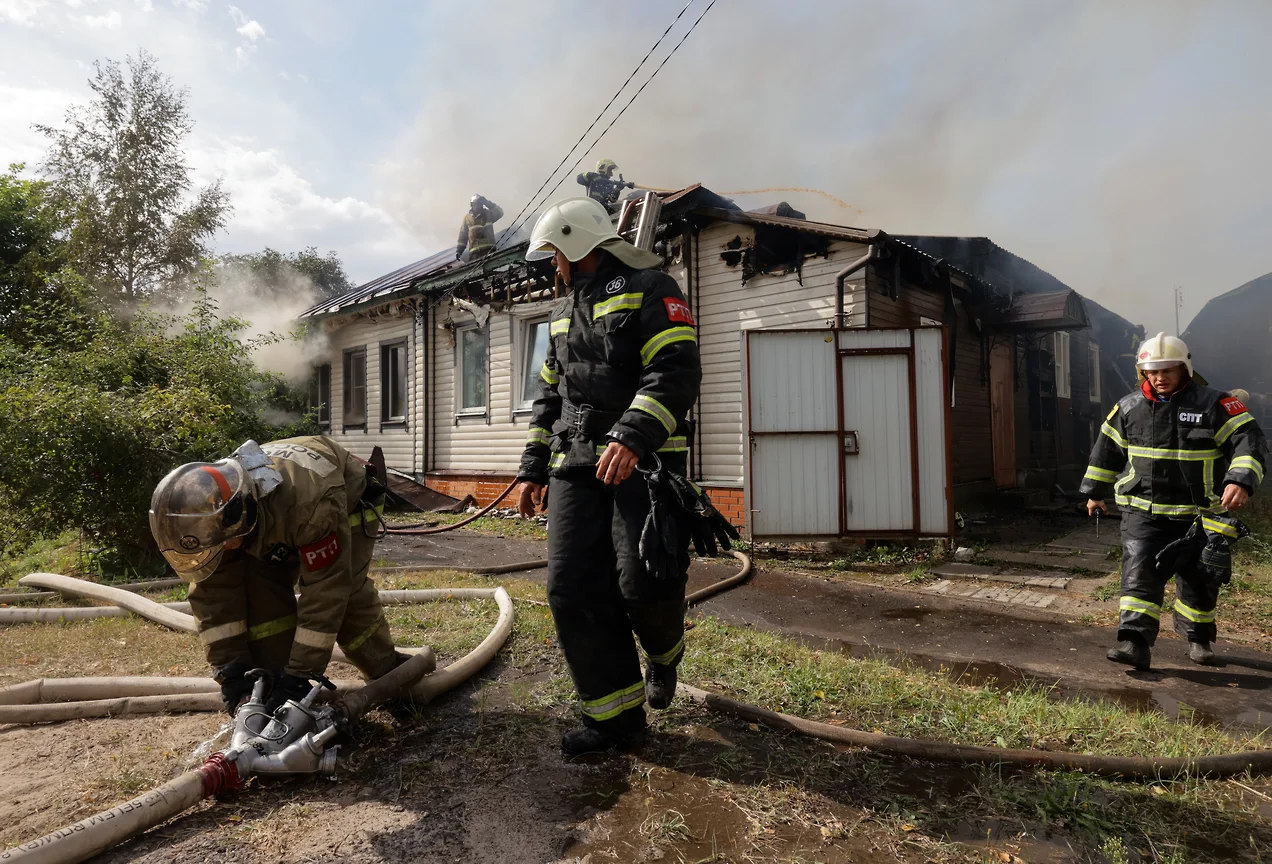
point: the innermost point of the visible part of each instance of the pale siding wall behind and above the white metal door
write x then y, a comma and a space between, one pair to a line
726, 307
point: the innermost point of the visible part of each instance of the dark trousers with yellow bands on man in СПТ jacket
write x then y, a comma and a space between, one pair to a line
1144, 585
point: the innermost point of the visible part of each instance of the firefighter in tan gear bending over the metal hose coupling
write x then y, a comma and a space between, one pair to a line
246, 530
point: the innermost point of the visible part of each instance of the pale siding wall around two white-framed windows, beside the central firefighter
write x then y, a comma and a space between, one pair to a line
494, 442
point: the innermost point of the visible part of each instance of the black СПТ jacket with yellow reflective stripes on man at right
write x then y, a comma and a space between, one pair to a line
1181, 452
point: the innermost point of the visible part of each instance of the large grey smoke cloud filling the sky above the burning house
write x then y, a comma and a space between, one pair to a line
1120, 147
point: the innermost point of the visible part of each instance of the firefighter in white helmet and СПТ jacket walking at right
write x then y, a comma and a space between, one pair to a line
1195, 455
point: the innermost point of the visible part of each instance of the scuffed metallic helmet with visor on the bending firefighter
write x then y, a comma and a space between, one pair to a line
197, 510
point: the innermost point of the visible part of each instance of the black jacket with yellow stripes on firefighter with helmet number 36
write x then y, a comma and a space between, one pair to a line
623, 365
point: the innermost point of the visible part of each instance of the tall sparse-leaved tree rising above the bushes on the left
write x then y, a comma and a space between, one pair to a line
121, 180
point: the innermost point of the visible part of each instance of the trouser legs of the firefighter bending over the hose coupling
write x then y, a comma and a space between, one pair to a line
272, 614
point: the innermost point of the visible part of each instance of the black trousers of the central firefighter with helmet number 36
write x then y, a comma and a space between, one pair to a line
600, 595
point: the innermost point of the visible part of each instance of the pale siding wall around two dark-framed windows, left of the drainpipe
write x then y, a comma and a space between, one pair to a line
397, 442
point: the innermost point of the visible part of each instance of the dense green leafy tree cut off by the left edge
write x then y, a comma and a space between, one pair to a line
31, 250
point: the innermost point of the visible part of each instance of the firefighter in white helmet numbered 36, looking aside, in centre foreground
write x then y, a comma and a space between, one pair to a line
620, 377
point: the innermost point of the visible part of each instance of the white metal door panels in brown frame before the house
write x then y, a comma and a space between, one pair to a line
847, 433
